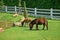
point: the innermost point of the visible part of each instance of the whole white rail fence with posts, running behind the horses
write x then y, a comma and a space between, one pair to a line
48, 13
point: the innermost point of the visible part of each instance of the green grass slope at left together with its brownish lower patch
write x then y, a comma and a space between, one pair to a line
6, 19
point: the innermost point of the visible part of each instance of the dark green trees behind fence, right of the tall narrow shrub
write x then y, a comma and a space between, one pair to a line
43, 3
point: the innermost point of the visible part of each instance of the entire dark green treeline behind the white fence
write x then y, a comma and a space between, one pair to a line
35, 3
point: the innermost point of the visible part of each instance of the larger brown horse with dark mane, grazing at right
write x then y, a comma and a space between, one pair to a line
39, 21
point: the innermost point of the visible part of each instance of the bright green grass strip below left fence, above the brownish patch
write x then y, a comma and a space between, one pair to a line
9, 17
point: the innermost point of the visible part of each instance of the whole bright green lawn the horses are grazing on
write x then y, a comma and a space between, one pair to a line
23, 33
